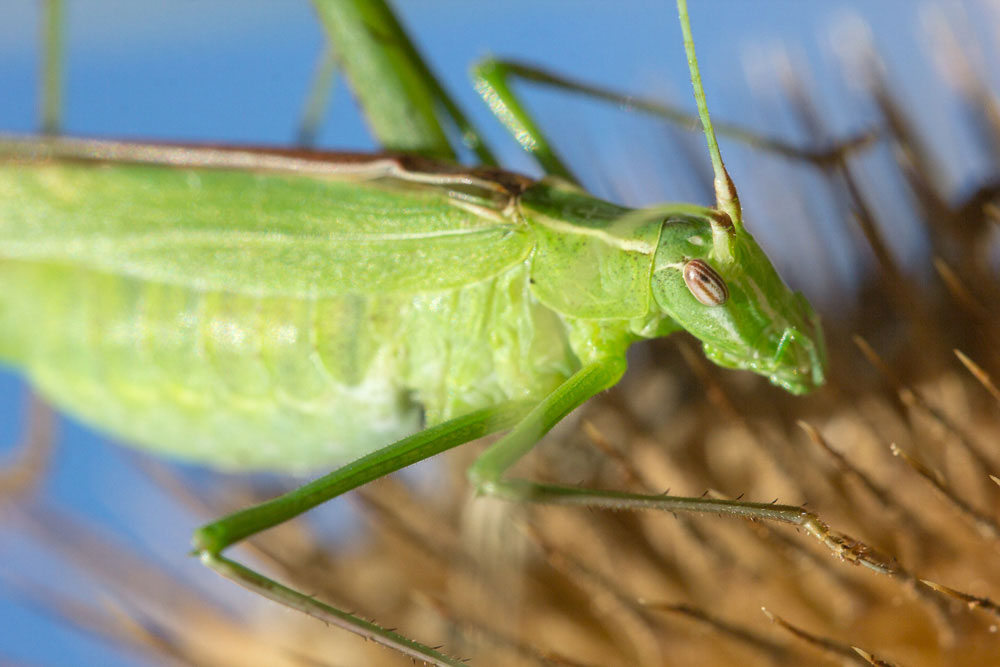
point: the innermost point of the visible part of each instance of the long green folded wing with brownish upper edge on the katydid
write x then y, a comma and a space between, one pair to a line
259, 231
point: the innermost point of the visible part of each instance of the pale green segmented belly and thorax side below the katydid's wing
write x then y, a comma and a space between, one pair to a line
272, 382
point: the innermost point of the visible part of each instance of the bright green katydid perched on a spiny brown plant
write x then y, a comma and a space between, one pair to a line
338, 298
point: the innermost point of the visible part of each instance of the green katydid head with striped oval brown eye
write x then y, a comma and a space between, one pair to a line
715, 281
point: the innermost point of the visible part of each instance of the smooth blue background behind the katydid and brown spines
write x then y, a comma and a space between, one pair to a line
238, 71
